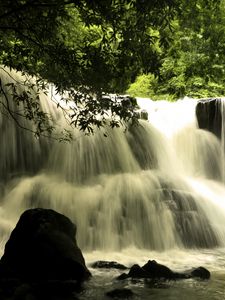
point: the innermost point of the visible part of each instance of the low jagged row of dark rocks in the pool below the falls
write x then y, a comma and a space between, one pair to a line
154, 270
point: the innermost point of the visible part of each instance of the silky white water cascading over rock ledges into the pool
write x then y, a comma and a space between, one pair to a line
154, 191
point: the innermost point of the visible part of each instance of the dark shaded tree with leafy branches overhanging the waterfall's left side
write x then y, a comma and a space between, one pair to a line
85, 47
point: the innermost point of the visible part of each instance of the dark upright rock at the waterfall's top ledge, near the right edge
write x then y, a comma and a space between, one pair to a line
209, 115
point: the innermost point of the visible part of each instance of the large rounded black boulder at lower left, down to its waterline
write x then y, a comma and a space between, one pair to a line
43, 247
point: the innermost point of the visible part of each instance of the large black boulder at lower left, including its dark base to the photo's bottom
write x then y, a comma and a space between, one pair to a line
42, 255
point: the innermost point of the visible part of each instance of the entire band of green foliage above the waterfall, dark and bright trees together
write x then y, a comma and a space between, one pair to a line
167, 48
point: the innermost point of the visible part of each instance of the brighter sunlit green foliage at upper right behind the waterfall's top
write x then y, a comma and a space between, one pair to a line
193, 63
